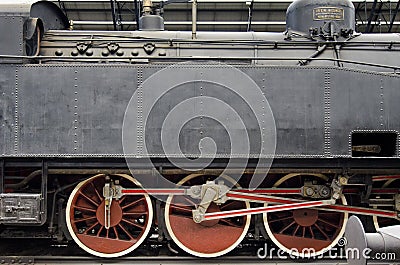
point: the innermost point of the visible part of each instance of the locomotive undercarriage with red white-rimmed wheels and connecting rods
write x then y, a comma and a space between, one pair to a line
106, 212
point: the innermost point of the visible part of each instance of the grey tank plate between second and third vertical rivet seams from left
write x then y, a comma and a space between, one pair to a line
103, 95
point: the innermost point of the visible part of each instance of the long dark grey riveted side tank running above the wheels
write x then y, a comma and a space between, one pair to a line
79, 110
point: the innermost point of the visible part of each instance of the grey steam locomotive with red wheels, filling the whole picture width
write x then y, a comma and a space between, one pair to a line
201, 142
